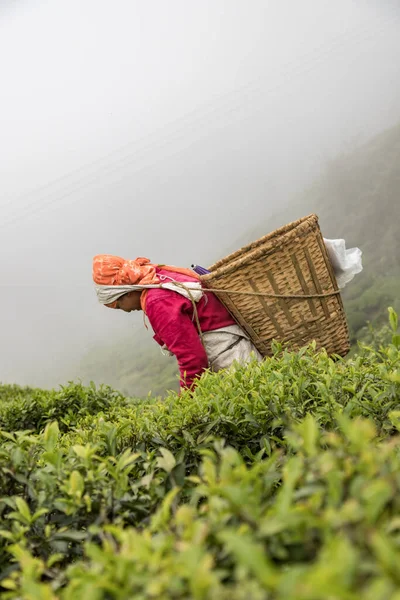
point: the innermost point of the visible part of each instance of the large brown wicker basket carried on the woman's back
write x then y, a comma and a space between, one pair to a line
291, 261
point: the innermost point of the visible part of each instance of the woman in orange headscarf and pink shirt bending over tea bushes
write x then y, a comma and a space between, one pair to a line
187, 321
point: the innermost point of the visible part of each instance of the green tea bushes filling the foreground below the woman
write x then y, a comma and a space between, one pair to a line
276, 481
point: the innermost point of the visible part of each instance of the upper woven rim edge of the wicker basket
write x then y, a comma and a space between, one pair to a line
271, 242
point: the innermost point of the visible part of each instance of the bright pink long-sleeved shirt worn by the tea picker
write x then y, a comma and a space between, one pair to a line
171, 317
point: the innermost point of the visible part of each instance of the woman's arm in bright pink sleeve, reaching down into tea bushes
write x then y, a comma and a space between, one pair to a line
170, 316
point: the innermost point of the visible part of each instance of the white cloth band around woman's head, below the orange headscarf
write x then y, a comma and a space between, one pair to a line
107, 294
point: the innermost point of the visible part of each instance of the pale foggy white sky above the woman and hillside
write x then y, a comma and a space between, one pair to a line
164, 129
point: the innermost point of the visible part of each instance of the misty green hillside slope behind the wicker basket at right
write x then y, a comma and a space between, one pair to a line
357, 198
